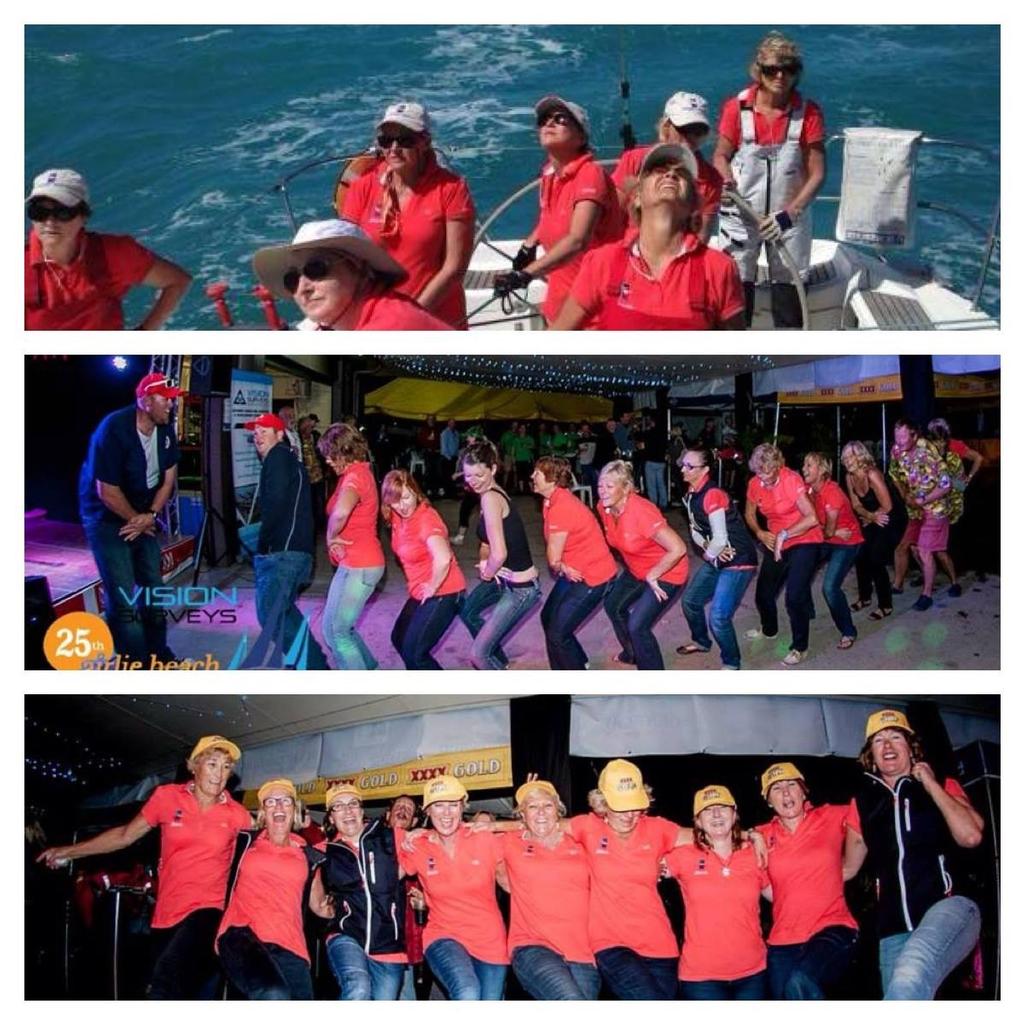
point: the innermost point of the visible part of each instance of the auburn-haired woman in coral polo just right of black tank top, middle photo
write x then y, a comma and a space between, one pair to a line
578, 557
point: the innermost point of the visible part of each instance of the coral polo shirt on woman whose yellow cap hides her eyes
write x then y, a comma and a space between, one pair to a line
625, 907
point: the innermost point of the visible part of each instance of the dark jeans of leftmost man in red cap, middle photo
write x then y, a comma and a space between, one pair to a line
139, 631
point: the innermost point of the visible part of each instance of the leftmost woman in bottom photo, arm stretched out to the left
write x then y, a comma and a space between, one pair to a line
198, 822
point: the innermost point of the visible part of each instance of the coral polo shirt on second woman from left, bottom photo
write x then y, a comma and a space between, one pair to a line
268, 894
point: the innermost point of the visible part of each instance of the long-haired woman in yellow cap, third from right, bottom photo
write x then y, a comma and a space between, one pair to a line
723, 956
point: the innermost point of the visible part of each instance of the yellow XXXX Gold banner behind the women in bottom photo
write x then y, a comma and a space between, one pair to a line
485, 769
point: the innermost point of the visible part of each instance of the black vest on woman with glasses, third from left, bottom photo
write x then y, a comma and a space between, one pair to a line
369, 900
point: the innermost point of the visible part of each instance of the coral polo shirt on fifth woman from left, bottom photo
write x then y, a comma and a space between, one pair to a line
550, 895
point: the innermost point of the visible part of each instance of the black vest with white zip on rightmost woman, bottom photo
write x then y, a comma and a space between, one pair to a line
909, 850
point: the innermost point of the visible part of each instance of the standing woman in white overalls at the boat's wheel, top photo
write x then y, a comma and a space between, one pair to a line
772, 151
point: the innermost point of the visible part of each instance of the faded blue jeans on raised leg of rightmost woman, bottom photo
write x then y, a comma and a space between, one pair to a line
915, 964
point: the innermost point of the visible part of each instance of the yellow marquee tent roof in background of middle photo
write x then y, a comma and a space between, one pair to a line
413, 399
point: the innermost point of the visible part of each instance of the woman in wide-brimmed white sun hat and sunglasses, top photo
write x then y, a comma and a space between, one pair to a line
342, 281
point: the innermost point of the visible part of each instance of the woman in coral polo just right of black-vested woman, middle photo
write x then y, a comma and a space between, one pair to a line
792, 540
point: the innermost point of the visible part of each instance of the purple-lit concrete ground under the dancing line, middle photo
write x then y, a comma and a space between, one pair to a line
956, 633
